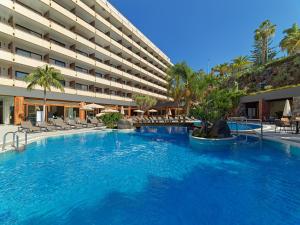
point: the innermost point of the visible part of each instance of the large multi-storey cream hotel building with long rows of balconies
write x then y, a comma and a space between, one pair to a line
103, 57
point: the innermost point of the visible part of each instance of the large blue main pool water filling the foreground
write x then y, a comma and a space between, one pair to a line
150, 177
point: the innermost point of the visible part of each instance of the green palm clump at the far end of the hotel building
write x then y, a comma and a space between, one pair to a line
182, 84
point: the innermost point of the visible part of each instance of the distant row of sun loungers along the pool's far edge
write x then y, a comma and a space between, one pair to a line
163, 120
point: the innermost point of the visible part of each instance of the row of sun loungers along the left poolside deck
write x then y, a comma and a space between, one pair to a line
60, 124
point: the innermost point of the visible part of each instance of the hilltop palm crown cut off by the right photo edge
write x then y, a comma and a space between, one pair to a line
291, 41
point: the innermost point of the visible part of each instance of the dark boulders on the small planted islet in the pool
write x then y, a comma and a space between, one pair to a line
219, 130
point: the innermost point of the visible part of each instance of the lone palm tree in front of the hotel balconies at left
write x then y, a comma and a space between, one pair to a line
45, 77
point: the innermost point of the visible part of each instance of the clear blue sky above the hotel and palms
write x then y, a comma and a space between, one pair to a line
207, 32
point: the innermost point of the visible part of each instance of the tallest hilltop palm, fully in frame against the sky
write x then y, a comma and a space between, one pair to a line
263, 36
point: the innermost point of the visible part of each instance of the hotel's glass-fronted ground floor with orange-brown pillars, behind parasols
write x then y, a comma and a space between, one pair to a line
14, 109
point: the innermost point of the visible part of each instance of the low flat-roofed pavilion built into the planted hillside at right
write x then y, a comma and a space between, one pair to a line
268, 106
